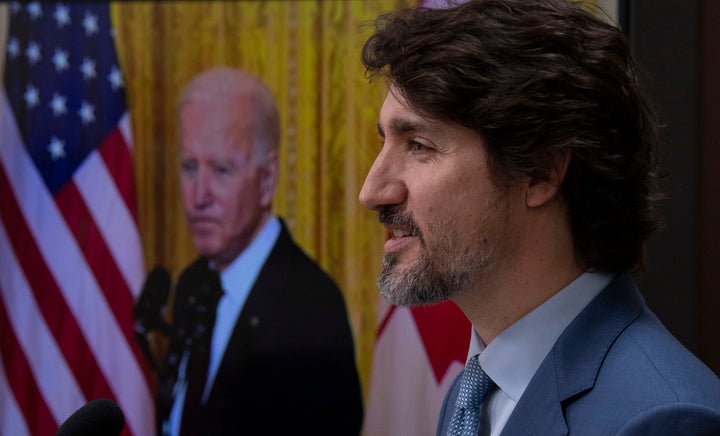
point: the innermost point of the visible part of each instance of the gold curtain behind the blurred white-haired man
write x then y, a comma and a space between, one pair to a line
308, 53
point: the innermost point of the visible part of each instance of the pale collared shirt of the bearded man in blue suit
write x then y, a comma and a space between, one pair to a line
513, 357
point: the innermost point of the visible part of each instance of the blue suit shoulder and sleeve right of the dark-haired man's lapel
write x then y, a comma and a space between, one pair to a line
646, 378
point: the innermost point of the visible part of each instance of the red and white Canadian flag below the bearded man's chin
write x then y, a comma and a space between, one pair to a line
418, 353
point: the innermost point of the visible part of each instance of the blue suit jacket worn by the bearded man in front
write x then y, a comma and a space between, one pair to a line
615, 370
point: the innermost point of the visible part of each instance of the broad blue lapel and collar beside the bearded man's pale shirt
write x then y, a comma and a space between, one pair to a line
572, 365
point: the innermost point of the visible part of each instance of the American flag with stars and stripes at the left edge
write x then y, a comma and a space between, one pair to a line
71, 260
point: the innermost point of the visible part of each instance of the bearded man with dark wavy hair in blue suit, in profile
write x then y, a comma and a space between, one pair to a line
518, 179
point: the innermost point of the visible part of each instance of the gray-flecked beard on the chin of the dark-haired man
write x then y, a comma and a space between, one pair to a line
424, 282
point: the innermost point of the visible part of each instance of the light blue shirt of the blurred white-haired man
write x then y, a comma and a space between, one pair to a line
237, 280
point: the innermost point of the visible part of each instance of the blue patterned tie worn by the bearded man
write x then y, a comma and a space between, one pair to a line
474, 386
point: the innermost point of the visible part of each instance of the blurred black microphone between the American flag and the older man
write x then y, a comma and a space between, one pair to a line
150, 307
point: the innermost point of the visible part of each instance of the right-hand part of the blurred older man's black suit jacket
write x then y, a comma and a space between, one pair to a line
289, 366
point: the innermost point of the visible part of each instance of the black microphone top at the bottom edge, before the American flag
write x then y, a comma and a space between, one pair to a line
98, 417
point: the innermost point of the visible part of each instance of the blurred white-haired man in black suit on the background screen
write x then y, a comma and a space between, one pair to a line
260, 334
